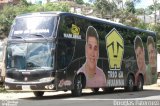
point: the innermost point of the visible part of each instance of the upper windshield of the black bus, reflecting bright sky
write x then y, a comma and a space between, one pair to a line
27, 26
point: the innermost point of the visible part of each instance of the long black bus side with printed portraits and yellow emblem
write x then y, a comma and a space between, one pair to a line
123, 56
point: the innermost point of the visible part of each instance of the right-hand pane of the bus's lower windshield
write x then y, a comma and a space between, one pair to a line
39, 55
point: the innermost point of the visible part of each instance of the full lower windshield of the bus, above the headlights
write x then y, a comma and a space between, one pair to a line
30, 56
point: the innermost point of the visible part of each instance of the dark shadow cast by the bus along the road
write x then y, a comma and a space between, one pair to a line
117, 94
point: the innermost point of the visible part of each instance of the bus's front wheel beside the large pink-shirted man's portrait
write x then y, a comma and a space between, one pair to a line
77, 91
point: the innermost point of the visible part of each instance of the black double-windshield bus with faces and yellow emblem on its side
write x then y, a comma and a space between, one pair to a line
60, 51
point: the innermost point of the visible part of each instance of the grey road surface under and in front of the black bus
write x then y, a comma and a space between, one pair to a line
149, 97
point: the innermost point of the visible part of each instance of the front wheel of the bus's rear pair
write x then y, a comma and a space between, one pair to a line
130, 84
